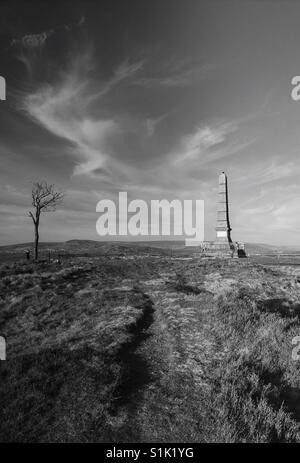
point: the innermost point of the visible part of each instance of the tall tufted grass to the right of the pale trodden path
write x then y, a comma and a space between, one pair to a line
256, 381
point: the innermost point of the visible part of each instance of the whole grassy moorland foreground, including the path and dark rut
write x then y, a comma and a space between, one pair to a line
141, 348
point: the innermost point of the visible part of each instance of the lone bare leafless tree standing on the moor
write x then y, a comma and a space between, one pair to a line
44, 199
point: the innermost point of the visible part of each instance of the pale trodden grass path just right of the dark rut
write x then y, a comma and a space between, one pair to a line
176, 356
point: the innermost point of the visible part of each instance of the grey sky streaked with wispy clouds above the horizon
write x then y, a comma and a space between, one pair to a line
155, 99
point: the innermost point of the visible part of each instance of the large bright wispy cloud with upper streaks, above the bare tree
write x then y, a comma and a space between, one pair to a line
63, 109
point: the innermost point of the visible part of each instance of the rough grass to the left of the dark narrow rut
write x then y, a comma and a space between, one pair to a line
65, 330
